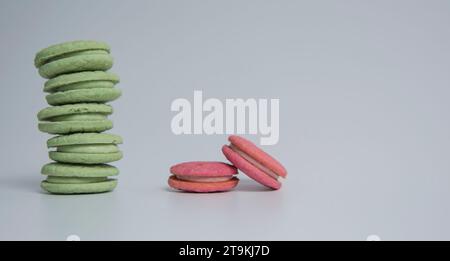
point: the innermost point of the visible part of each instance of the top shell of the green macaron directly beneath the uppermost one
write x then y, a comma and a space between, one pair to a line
81, 80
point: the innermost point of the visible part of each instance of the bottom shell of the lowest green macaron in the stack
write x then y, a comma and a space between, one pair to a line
87, 188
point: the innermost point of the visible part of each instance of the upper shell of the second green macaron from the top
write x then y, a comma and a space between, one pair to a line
67, 79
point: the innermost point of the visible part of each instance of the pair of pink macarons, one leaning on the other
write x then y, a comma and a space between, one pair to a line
204, 176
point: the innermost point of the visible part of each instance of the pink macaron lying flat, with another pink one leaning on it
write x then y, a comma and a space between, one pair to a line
203, 176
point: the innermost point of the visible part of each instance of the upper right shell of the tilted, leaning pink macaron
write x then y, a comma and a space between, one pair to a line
257, 154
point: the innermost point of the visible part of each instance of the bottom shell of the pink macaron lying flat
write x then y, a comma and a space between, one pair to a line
202, 187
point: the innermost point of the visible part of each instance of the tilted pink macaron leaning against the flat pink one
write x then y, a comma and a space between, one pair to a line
254, 162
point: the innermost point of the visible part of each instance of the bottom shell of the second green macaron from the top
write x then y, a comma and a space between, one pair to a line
96, 95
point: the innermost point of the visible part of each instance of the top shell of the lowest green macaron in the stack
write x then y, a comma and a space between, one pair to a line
56, 169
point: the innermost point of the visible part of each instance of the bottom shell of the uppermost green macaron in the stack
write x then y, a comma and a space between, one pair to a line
78, 63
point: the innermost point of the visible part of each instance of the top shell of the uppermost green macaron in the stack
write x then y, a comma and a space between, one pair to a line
58, 50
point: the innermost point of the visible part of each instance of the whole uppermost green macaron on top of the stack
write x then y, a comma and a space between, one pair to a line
75, 56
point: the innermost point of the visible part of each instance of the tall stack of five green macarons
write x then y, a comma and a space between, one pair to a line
79, 86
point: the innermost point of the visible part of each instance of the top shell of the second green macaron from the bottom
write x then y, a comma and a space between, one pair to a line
84, 138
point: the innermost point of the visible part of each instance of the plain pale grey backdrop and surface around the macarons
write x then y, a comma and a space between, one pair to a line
364, 94
